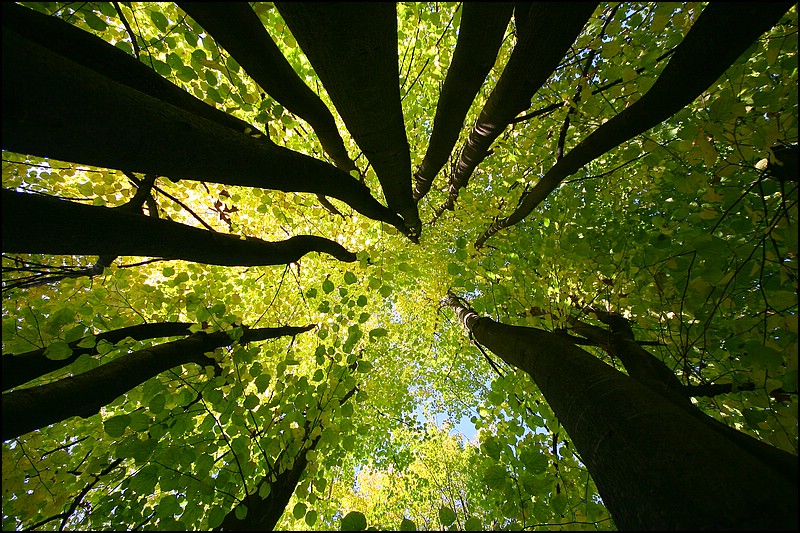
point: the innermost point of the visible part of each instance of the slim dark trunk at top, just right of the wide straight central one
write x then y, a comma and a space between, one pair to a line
483, 25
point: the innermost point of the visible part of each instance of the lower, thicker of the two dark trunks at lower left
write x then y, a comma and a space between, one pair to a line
83, 395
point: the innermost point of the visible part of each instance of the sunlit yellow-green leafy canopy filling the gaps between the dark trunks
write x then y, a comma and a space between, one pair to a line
681, 229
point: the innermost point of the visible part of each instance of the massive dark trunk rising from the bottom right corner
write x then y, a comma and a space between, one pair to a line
655, 465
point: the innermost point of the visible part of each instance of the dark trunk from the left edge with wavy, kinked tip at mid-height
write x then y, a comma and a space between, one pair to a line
37, 224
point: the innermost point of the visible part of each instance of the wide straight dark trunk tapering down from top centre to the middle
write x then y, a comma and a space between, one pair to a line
353, 49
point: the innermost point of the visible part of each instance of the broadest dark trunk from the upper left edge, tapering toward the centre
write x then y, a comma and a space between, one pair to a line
54, 107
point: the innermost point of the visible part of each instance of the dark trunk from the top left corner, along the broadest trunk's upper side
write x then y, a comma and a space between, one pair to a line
96, 54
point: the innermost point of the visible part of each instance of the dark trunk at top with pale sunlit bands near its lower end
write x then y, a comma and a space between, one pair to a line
544, 39
